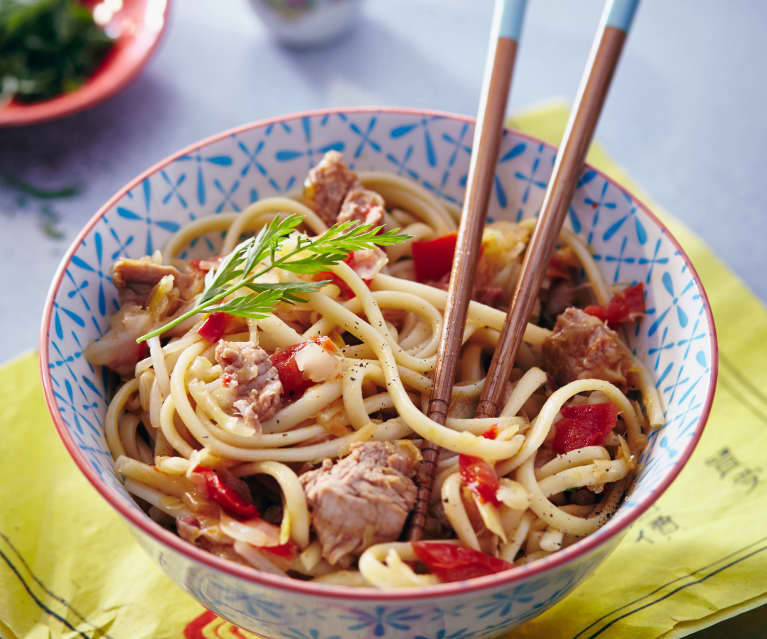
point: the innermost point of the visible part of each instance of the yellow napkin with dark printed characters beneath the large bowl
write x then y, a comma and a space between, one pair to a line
69, 568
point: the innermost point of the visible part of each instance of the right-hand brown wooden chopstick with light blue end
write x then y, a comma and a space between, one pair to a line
603, 59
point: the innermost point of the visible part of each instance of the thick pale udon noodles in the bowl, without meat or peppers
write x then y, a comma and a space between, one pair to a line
175, 395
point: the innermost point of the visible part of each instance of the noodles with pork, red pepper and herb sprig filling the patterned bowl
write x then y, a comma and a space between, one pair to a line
271, 410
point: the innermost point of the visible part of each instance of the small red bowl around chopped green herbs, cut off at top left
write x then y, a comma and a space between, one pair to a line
137, 26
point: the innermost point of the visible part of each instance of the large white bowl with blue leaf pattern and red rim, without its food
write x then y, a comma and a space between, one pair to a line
676, 340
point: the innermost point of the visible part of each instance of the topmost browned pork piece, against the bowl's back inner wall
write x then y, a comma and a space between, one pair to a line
326, 186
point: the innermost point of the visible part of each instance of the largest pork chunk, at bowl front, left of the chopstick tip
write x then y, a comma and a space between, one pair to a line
363, 499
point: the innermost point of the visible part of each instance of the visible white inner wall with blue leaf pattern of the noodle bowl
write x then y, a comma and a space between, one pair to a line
234, 170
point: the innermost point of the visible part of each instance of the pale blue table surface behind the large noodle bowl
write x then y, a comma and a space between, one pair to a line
685, 115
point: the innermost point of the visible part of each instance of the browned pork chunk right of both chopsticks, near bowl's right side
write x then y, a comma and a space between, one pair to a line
582, 346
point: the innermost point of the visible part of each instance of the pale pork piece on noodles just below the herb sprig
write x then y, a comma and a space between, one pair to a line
250, 374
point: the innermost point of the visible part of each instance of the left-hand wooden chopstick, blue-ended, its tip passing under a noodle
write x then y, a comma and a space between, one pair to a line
505, 32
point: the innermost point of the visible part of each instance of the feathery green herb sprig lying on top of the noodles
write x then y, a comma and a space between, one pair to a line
239, 270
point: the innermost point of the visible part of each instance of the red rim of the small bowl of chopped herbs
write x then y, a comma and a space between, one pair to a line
85, 96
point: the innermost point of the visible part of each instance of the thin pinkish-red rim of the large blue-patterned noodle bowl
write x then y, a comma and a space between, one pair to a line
167, 538
